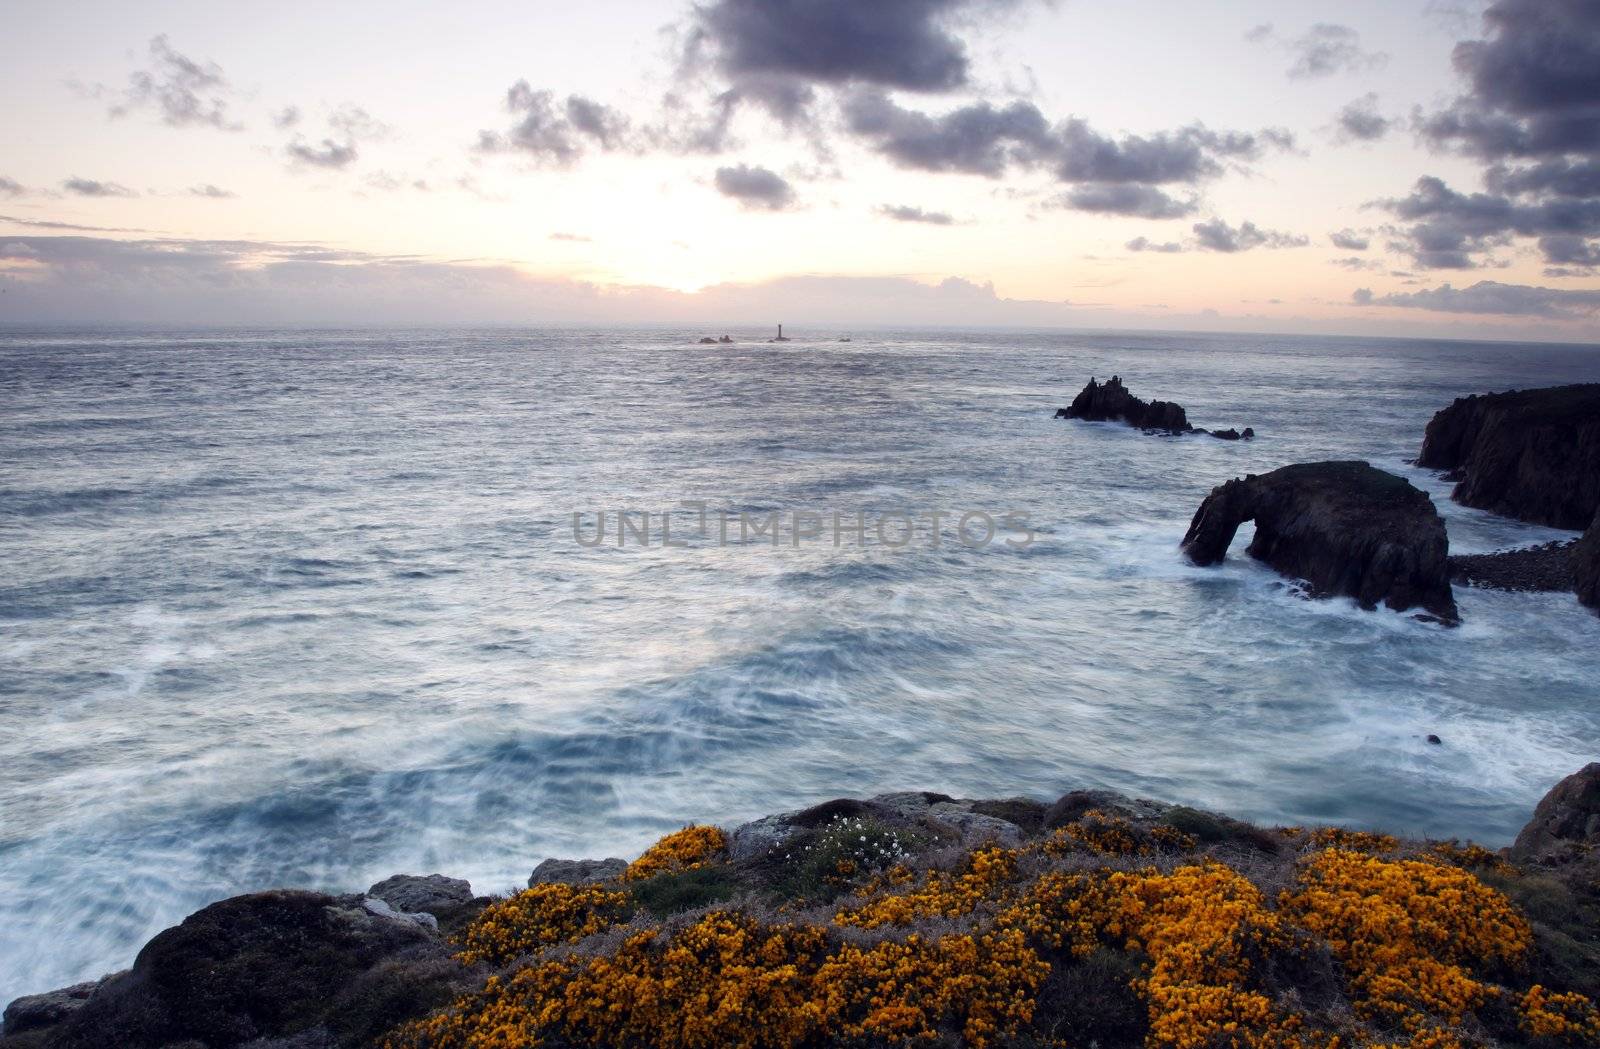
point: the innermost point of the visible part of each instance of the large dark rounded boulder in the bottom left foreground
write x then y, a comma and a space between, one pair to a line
266, 967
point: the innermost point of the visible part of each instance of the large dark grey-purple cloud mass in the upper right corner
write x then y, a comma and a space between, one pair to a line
1532, 113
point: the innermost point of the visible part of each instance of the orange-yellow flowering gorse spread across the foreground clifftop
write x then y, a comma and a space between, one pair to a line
1412, 936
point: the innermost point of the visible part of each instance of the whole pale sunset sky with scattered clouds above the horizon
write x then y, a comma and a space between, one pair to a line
1367, 167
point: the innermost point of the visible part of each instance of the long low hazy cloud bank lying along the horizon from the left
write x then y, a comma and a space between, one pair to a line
164, 281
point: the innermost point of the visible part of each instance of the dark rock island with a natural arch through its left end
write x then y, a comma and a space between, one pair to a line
1346, 528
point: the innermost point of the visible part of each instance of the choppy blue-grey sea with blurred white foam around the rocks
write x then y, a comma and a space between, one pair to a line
311, 608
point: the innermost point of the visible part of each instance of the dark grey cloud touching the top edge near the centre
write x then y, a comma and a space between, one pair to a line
895, 44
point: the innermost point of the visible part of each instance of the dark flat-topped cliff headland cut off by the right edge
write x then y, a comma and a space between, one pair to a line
1530, 455
